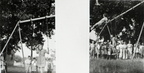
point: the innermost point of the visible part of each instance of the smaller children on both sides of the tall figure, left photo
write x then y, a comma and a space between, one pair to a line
32, 66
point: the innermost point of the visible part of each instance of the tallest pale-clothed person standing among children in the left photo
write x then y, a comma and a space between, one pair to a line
41, 60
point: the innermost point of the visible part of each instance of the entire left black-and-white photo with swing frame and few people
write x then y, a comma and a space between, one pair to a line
27, 36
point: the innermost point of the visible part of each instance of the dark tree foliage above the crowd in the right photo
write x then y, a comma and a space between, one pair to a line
113, 9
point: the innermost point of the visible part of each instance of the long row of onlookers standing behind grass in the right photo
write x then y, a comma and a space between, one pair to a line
116, 50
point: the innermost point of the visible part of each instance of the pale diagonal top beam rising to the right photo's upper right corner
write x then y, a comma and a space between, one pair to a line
120, 15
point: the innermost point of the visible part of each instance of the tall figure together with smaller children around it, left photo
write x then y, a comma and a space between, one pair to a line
40, 64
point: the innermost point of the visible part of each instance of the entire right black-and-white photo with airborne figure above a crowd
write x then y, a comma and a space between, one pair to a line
116, 36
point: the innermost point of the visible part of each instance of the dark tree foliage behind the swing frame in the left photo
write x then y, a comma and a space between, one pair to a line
11, 11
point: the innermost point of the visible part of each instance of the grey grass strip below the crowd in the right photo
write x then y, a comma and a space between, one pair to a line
116, 66
